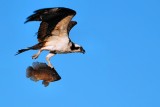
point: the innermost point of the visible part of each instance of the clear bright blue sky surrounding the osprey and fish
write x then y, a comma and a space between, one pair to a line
121, 67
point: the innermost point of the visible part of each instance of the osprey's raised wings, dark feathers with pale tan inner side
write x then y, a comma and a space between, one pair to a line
52, 20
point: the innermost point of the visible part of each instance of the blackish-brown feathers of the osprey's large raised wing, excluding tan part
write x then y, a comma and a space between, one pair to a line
50, 17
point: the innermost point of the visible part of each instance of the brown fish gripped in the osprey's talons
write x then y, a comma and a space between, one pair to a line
41, 71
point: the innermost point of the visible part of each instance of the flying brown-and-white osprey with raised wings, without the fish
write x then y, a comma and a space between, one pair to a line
53, 33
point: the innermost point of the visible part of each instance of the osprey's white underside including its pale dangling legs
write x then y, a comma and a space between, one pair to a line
56, 45
